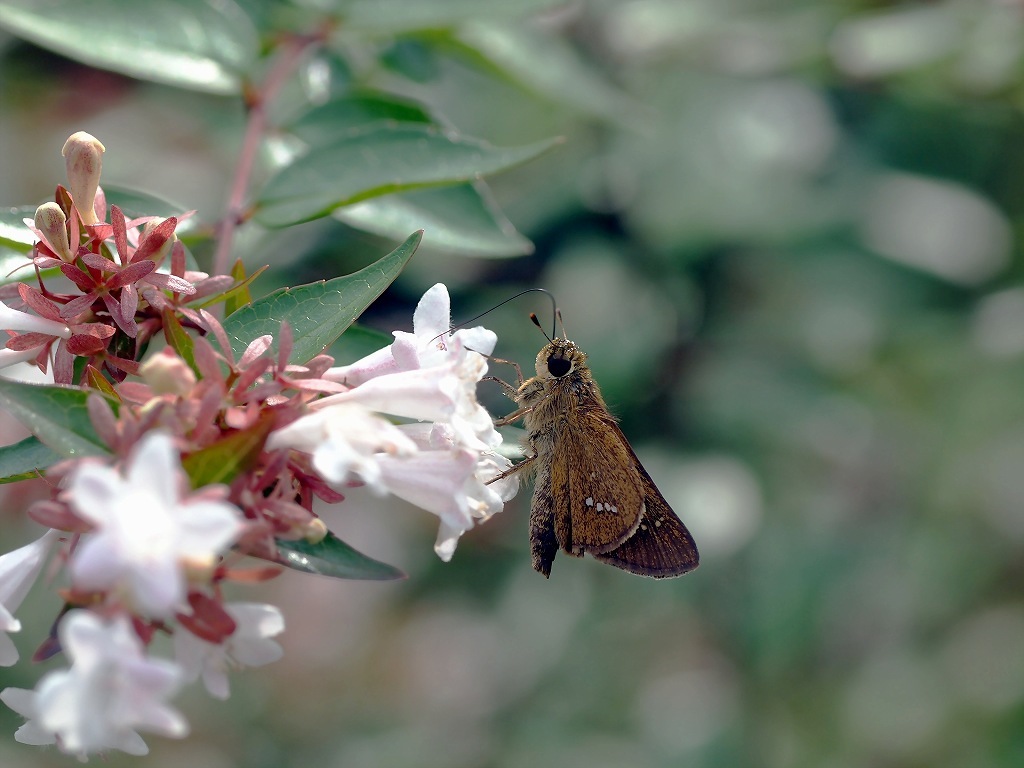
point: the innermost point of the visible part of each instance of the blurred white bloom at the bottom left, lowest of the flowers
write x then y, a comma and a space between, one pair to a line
110, 693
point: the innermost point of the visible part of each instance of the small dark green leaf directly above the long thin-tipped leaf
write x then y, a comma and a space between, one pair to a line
355, 112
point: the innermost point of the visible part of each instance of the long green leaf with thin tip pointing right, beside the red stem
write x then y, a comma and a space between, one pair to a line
380, 161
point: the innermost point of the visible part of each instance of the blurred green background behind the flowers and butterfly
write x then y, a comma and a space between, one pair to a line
787, 235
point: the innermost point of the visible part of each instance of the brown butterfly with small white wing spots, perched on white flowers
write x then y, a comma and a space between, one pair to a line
591, 493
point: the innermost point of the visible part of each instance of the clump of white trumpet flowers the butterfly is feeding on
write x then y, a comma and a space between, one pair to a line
441, 464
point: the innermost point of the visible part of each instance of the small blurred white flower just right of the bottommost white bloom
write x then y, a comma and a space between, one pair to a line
249, 646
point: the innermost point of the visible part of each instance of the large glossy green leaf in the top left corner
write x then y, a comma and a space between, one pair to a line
205, 46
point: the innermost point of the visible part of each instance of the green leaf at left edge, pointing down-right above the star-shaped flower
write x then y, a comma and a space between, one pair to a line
56, 415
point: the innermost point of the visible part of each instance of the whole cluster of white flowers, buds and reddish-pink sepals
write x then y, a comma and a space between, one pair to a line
203, 457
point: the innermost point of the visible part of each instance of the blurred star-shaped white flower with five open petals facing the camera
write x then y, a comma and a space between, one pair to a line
147, 534
